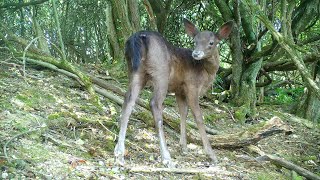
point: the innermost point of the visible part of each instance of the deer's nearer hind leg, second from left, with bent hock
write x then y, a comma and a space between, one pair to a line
160, 86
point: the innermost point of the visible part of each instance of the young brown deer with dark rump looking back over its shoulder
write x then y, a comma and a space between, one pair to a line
187, 73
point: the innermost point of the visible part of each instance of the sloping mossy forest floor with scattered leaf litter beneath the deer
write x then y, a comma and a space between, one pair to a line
50, 130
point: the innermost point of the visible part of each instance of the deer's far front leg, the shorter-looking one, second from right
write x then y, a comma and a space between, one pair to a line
183, 110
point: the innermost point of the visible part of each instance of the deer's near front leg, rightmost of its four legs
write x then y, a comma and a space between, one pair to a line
193, 101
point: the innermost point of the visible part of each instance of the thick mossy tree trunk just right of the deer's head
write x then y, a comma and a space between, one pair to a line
243, 82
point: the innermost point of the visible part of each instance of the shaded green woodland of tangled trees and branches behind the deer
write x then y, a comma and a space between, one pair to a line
271, 58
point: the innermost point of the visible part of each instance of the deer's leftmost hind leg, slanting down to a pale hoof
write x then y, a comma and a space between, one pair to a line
135, 86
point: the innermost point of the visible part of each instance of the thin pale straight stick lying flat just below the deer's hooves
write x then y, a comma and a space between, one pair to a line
211, 170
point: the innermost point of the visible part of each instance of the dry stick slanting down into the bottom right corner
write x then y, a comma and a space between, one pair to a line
284, 163
